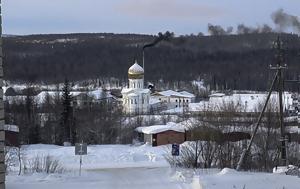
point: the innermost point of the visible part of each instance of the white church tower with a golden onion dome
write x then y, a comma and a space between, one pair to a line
135, 97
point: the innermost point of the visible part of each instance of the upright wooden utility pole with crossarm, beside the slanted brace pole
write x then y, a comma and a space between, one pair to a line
279, 67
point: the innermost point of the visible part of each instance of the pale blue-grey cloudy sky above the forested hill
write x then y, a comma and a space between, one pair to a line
22, 17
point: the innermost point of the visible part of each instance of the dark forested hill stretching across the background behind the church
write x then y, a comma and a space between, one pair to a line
229, 61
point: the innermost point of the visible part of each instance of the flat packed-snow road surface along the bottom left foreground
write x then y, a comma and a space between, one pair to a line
120, 178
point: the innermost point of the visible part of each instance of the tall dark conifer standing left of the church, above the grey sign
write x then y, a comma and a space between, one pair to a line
67, 124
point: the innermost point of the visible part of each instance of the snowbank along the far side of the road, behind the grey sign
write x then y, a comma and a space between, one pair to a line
101, 156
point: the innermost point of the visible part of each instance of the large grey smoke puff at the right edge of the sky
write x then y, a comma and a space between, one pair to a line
285, 21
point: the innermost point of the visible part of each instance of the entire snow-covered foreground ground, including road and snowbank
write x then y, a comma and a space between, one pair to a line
135, 167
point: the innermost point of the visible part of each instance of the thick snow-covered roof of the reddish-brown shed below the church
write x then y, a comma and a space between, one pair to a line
170, 126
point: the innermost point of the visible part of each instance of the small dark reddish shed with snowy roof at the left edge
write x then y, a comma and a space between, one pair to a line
11, 135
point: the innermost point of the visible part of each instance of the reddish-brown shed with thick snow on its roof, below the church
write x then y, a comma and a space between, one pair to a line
157, 135
